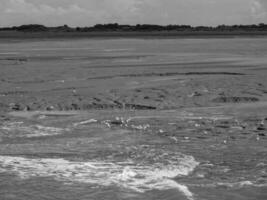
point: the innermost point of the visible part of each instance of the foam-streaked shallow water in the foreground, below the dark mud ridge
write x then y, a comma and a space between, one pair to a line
134, 155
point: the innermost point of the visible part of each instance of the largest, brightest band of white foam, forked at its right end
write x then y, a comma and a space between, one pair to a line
129, 175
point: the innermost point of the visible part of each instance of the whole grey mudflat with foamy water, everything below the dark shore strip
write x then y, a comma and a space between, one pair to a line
133, 118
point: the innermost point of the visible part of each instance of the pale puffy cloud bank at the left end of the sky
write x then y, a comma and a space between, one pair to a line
18, 12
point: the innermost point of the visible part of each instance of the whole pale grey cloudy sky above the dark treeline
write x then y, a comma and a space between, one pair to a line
89, 12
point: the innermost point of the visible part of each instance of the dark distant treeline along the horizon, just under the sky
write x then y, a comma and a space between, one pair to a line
138, 28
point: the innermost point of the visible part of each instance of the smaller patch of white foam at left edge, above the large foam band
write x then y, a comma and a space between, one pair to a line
21, 130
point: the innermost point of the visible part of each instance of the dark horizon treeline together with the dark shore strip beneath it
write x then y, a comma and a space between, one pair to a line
37, 31
